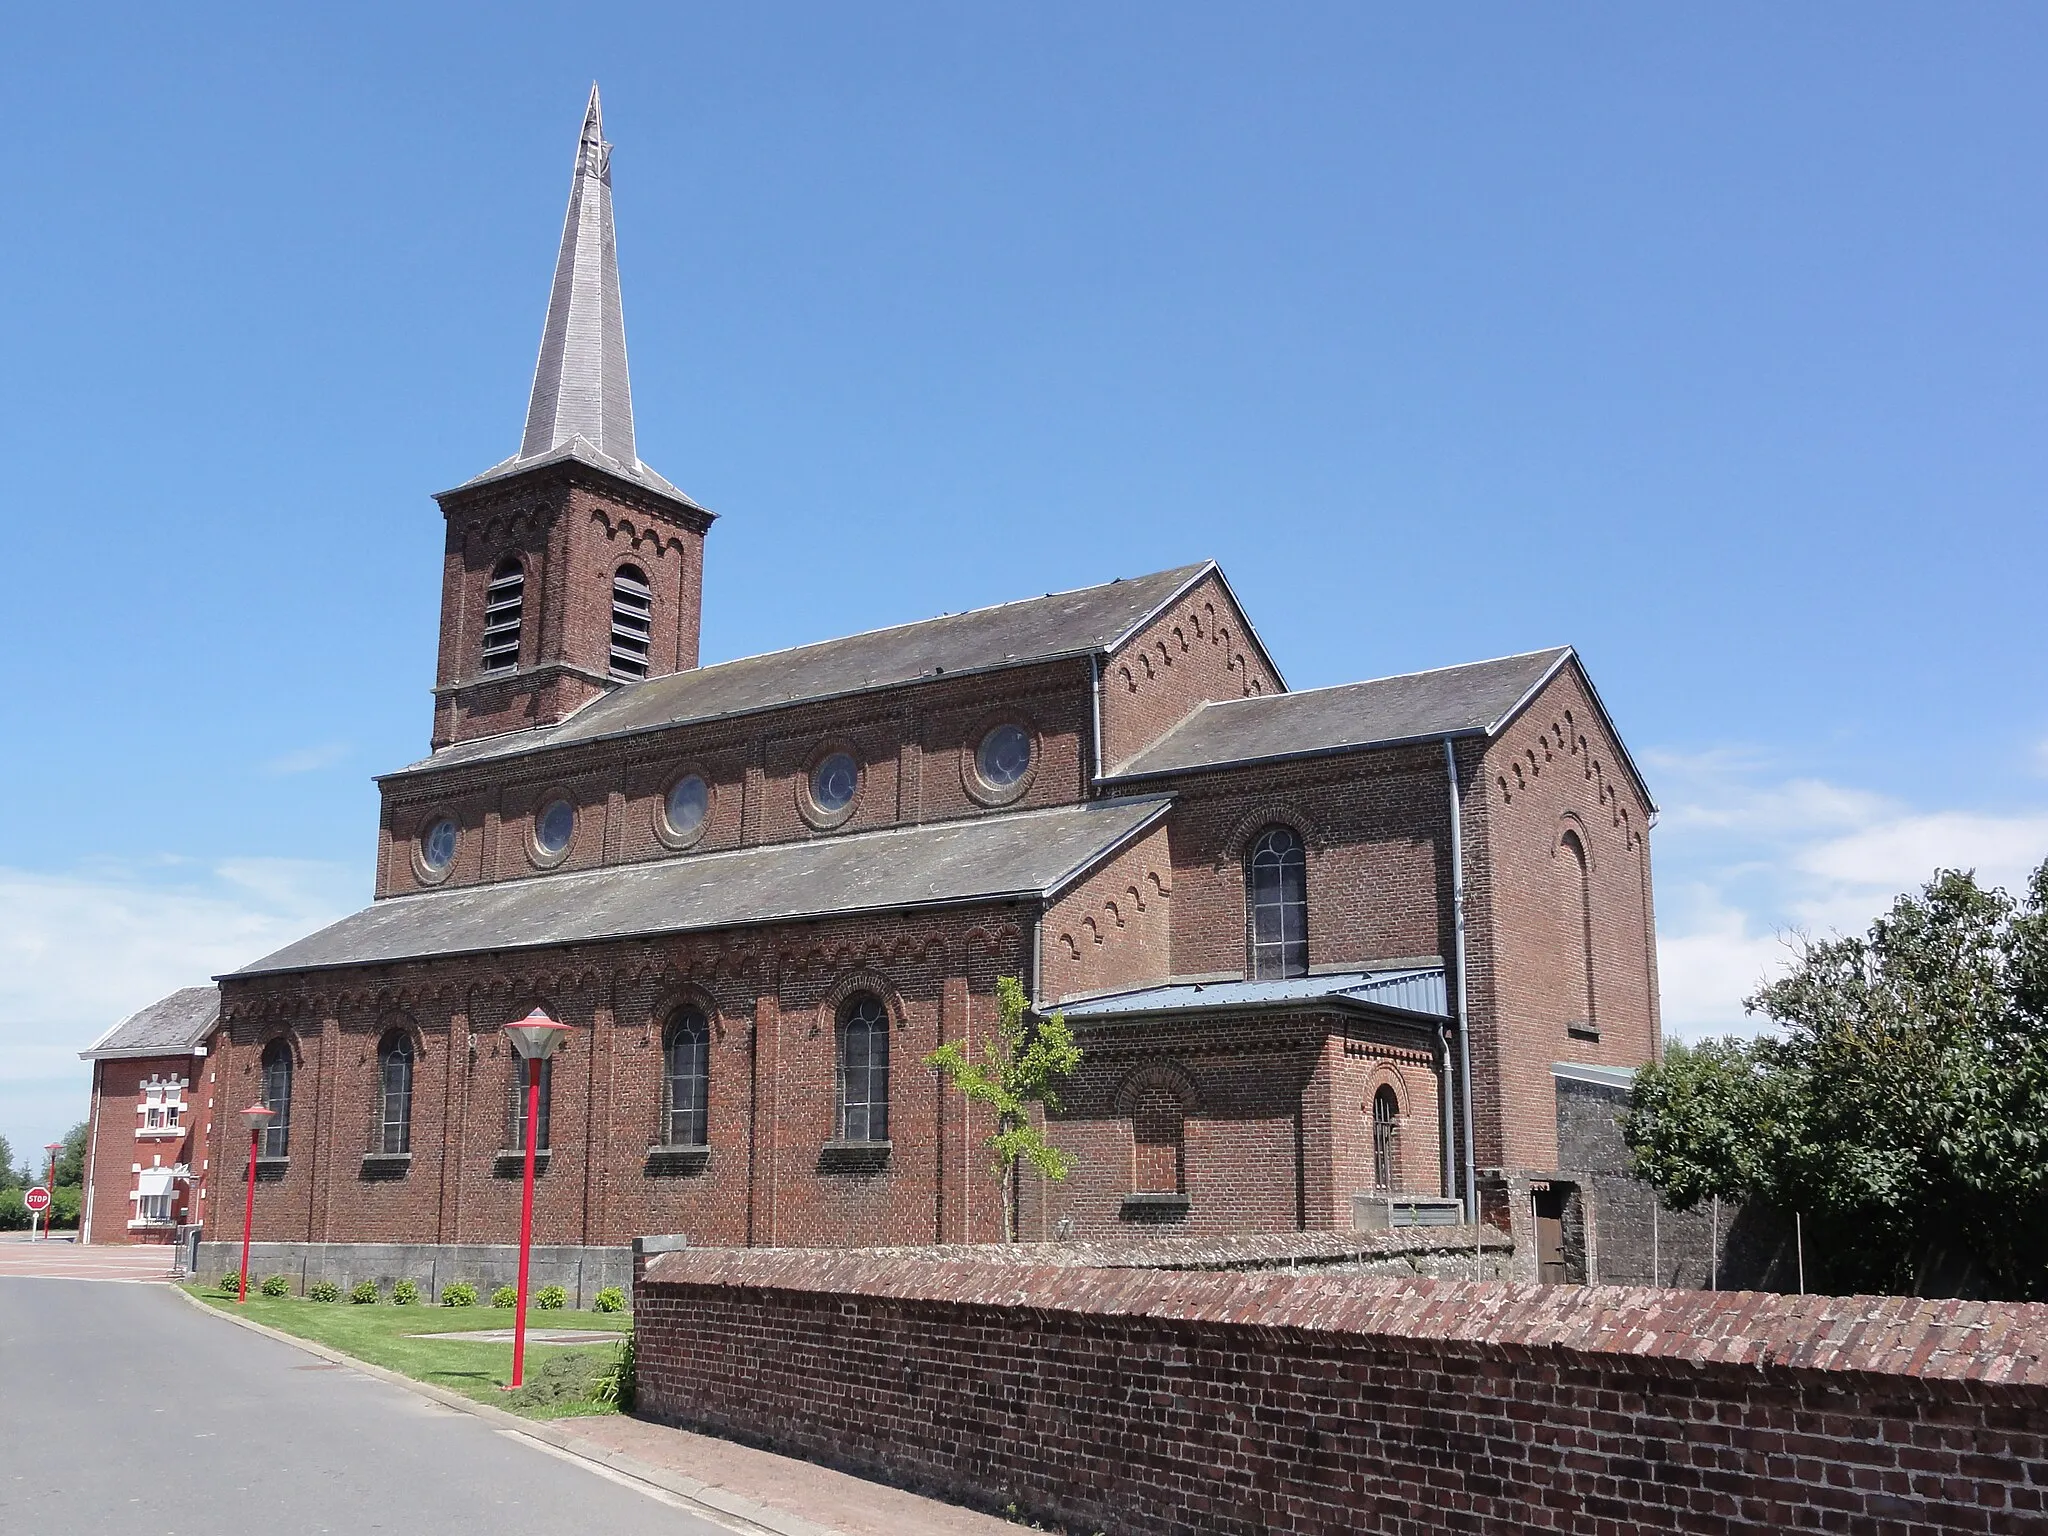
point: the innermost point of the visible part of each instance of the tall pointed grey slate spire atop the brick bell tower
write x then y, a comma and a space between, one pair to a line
583, 398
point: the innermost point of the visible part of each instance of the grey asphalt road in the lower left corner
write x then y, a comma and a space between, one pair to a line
126, 1410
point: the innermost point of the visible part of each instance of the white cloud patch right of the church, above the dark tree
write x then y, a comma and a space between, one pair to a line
1746, 863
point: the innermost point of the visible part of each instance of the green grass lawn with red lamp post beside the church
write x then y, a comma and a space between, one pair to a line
558, 1377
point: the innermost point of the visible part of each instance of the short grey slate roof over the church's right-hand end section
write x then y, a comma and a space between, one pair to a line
1474, 699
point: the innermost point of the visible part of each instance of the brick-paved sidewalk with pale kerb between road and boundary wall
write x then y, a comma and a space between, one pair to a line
736, 1486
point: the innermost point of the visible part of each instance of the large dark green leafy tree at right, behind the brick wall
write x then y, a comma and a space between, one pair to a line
1902, 1105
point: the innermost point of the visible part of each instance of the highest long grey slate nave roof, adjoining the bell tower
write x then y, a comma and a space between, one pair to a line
1011, 634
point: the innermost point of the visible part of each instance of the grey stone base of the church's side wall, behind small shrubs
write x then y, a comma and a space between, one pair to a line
431, 1267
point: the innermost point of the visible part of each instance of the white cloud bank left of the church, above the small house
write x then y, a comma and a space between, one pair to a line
83, 951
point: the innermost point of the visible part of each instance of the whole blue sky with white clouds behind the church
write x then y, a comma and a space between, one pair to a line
1709, 341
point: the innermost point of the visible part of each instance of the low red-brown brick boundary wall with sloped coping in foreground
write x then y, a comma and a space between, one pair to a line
1211, 1402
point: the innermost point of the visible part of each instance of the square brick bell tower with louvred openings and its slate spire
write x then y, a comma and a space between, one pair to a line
570, 568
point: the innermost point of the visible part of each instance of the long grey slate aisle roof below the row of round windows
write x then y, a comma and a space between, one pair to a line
990, 859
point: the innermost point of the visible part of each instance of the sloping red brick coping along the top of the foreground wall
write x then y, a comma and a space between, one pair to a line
1889, 1336
